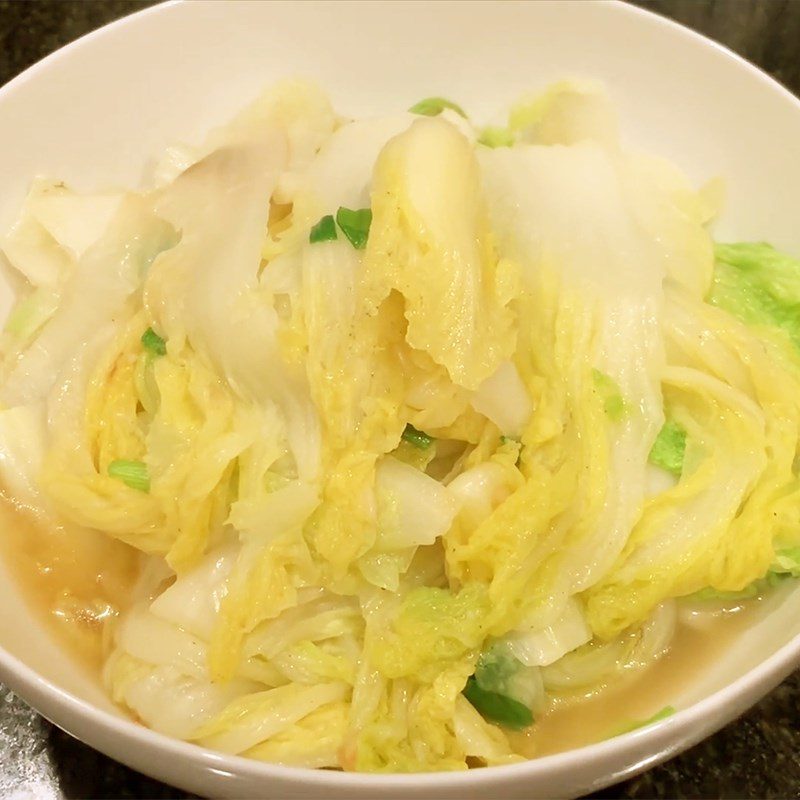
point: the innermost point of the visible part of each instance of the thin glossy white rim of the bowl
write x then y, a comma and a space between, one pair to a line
687, 724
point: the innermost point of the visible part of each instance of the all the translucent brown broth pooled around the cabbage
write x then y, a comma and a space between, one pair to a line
79, 580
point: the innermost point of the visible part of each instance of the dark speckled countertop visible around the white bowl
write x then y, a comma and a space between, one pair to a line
758, 756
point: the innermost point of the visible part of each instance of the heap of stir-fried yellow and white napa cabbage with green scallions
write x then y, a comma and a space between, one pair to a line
419, 428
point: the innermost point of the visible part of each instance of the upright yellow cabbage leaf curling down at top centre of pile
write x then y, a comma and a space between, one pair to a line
430, 238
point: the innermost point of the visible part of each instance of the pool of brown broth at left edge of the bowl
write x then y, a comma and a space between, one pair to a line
75, 580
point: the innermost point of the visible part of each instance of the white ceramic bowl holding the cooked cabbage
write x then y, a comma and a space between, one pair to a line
94, 113
